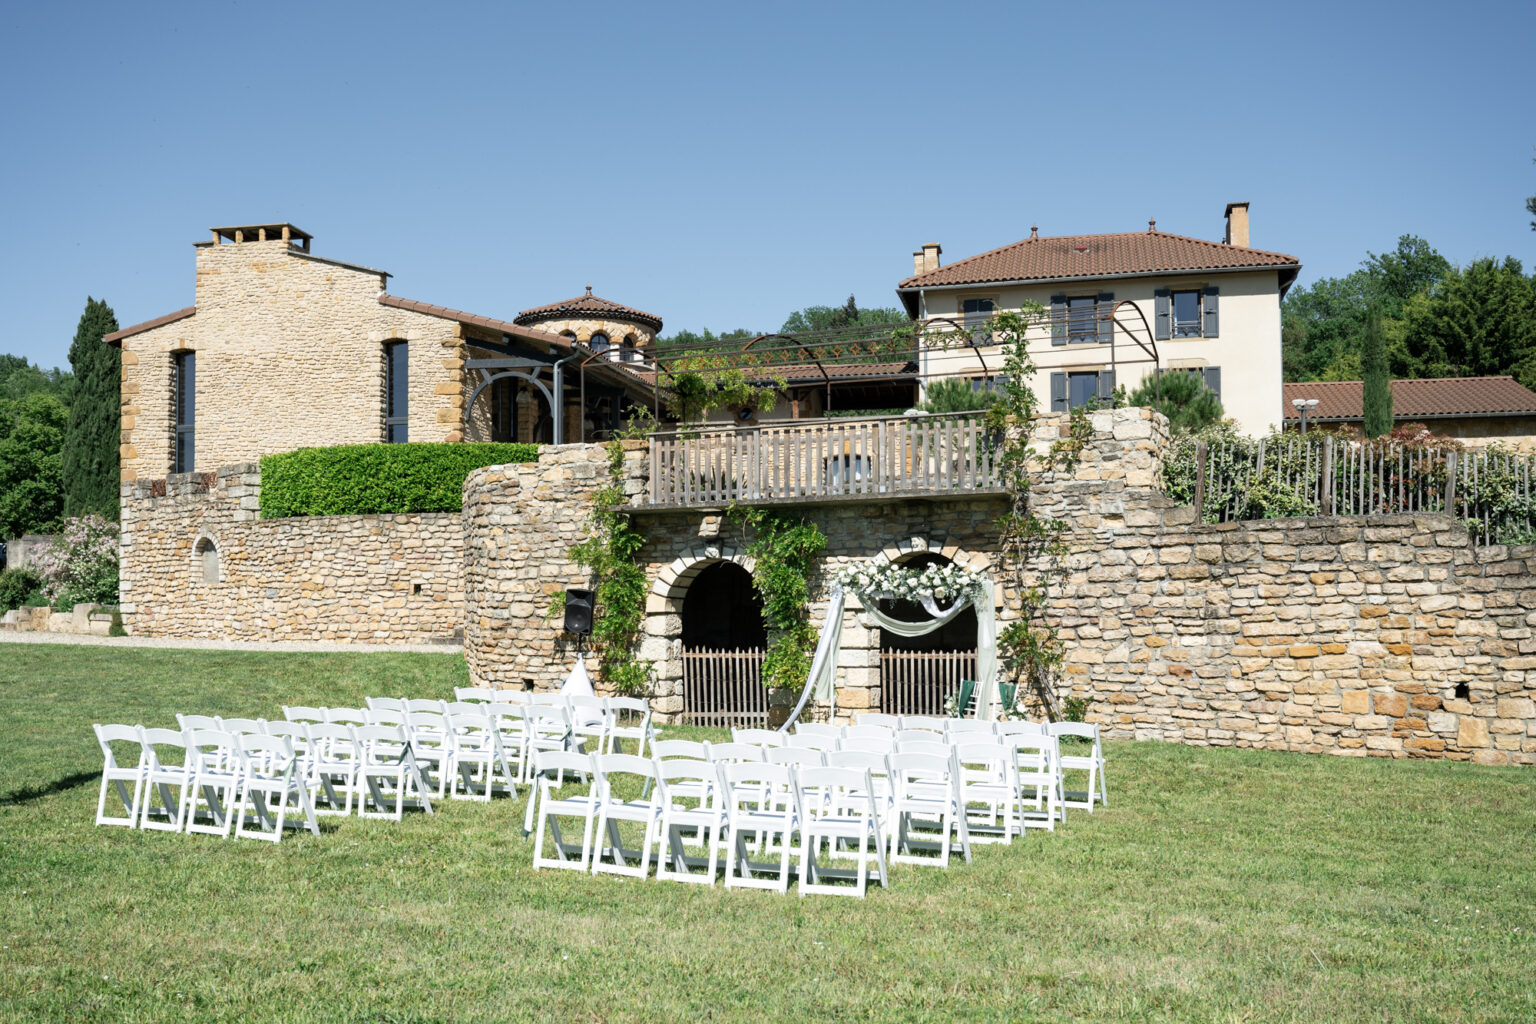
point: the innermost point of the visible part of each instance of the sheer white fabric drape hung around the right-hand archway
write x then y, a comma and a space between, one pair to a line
824, 666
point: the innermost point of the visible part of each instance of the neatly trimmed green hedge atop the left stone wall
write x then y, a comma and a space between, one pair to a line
377, 478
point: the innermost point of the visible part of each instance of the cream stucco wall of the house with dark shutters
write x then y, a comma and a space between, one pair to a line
1248, 348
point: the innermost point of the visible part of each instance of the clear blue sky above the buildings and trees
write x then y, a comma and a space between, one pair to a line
726, 164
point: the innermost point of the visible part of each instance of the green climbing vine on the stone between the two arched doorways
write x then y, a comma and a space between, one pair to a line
784, 549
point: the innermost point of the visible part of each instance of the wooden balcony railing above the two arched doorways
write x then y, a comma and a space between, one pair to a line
823, 460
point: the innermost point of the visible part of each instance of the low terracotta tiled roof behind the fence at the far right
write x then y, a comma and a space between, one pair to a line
1435, 398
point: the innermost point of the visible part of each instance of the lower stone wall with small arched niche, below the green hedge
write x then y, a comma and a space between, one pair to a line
199, 563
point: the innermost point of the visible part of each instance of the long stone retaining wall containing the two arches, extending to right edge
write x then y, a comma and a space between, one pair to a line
1379, 636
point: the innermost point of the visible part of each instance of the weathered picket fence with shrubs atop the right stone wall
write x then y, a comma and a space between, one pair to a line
1329, 477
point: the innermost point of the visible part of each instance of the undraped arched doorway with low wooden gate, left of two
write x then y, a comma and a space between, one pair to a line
723, 650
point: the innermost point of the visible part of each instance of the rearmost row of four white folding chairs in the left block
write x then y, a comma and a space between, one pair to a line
213, 773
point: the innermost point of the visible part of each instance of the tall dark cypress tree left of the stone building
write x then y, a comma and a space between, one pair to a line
91, 440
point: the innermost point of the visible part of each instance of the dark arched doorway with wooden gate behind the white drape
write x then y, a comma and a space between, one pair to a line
918, 675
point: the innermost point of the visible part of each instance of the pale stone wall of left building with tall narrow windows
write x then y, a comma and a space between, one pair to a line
290, 355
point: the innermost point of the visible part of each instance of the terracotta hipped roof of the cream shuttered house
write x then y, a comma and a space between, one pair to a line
1099, 257
